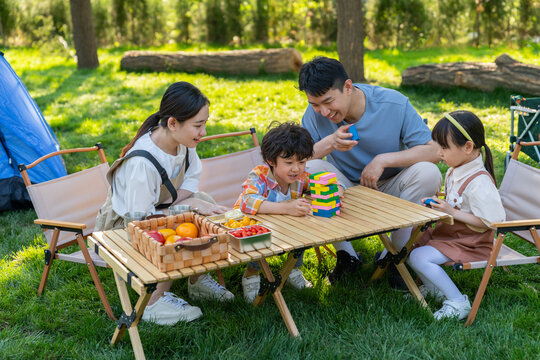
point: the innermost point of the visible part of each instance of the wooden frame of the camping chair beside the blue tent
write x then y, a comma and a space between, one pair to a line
76, 228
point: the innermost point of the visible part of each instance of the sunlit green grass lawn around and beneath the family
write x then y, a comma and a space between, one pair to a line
351, 320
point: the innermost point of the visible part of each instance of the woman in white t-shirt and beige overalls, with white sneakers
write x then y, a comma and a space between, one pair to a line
166, 140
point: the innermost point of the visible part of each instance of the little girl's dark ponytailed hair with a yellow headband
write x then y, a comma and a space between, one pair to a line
445, 131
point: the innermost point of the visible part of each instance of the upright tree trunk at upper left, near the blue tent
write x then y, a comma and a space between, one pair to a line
83, 34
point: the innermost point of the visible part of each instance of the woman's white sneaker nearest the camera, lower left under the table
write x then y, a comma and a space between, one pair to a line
169, 309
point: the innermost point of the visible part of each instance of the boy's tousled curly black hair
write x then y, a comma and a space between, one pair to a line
286, 140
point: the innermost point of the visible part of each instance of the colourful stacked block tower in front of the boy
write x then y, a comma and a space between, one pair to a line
324, 191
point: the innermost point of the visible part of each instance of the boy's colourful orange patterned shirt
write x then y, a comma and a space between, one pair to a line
261, 185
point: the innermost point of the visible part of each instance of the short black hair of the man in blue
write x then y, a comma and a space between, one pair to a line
320, 75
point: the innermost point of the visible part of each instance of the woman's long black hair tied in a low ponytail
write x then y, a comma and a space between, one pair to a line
181, 101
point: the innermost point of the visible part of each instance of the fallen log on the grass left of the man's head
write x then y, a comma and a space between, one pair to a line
270, 61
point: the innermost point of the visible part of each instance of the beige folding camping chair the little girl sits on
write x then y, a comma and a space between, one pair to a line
521, 200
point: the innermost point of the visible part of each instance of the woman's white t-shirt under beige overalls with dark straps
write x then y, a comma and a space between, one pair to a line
136, 184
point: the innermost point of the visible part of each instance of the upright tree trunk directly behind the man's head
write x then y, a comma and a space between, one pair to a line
351, 38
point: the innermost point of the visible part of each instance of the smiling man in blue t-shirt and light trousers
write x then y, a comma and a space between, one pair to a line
394, 153
